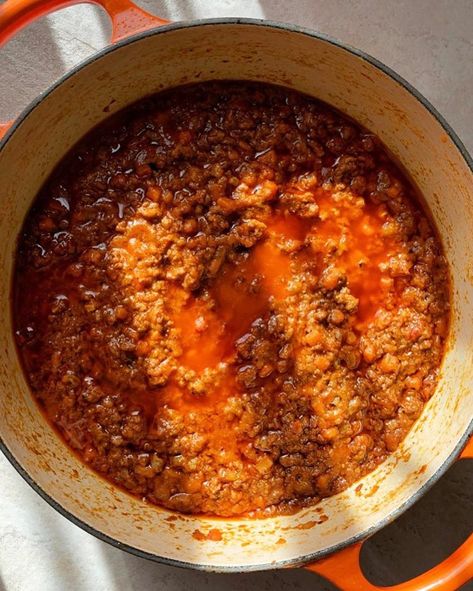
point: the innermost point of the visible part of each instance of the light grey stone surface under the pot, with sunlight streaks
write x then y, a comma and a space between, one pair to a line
430, 43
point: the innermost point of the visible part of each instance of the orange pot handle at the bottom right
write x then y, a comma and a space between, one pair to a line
343, 568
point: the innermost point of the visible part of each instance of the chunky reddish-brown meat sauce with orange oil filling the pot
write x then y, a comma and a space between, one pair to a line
228, 300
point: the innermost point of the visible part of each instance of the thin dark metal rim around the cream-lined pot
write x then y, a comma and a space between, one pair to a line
306, 558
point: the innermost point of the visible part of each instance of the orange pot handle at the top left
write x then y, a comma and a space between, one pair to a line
126, 17
